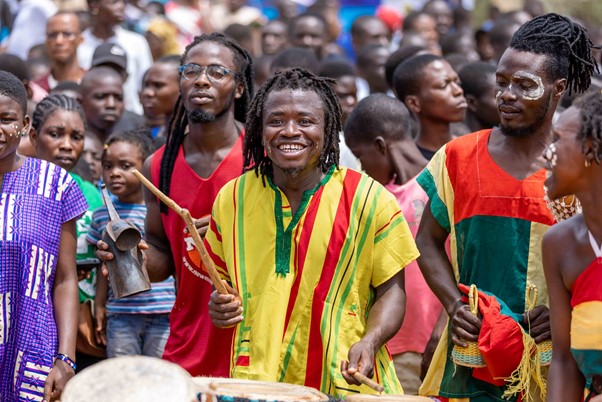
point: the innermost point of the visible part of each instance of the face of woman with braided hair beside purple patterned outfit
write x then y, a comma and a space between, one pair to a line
60, 139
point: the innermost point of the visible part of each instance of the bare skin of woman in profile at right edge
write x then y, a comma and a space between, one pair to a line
566, 247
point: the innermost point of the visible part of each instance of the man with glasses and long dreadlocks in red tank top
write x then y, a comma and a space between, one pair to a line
203, 151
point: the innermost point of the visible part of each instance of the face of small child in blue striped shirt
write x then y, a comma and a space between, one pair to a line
119, 159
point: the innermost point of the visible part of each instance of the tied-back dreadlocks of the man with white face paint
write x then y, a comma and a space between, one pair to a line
567, 45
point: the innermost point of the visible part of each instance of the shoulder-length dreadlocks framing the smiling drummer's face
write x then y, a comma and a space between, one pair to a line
255, 157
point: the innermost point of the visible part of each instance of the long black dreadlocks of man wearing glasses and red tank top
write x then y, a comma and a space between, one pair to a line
179, 120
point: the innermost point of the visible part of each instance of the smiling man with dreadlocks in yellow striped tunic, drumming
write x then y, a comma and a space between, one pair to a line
314, 253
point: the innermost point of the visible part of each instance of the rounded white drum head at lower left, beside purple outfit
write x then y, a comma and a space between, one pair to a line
131, 379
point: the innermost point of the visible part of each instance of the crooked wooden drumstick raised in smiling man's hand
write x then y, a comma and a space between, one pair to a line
198, 242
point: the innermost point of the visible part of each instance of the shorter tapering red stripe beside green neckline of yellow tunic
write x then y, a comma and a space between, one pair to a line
301, 250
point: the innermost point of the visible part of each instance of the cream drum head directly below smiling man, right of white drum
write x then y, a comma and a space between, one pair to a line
227, 389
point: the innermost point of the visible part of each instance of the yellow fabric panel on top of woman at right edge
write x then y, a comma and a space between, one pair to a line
585, 327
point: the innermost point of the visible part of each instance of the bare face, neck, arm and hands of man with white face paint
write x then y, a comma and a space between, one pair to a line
520, 157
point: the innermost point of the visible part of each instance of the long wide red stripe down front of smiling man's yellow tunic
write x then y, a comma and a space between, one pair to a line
313, 370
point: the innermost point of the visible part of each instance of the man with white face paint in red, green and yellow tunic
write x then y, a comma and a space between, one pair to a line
486, 193
